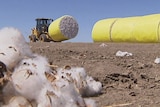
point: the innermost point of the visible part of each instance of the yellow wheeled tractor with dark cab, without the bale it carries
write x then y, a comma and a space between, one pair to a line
40, 32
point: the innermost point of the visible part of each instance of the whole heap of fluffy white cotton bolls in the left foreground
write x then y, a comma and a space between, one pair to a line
28, 79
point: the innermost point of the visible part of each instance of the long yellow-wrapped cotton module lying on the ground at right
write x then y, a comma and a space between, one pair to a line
130, 29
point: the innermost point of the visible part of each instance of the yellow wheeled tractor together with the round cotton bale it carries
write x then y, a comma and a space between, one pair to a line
61, 29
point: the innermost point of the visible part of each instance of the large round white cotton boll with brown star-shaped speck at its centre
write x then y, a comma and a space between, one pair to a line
29, 76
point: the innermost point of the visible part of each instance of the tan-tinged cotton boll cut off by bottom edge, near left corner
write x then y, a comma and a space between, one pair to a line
18, 101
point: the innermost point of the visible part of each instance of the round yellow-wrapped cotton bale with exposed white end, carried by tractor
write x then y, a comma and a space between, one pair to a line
63, 28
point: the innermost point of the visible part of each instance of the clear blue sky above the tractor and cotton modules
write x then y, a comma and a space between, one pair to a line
22, 13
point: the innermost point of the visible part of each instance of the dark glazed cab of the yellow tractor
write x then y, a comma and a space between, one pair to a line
43, 24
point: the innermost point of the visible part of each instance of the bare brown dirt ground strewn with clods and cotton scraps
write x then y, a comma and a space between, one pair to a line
132, 81
